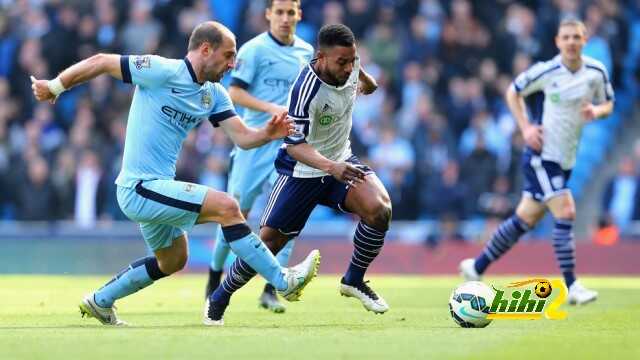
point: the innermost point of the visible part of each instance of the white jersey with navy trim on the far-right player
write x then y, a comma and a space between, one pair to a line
560, 94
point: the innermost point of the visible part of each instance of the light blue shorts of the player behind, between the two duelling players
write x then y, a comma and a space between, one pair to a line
252, 173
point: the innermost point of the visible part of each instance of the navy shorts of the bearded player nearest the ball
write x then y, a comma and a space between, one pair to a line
292, 199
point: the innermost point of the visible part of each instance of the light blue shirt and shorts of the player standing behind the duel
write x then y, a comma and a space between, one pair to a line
266, 68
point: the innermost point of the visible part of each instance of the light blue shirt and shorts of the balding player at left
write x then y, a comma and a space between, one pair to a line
167, 103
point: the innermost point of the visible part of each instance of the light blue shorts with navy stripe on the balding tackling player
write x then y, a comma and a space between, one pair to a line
165, 209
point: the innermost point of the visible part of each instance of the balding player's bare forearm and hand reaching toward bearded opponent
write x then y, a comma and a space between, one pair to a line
247, 137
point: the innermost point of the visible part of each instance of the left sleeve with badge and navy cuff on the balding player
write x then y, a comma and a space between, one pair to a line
146, 70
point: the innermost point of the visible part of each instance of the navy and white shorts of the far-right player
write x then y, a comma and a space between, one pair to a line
543, 179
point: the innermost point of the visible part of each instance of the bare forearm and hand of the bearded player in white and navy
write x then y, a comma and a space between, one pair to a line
342, 171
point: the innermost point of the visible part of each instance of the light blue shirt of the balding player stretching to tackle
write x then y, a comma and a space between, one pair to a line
167, 103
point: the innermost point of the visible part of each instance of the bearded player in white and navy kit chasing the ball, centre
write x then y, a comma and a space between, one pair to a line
316, 166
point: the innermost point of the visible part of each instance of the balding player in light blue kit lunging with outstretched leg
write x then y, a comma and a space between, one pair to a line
172, 97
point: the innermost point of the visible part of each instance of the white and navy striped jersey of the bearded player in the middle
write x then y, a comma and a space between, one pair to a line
322, 118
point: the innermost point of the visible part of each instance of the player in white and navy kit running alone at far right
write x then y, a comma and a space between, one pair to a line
574, 89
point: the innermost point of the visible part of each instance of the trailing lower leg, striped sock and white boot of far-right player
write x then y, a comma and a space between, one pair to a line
528, 214
